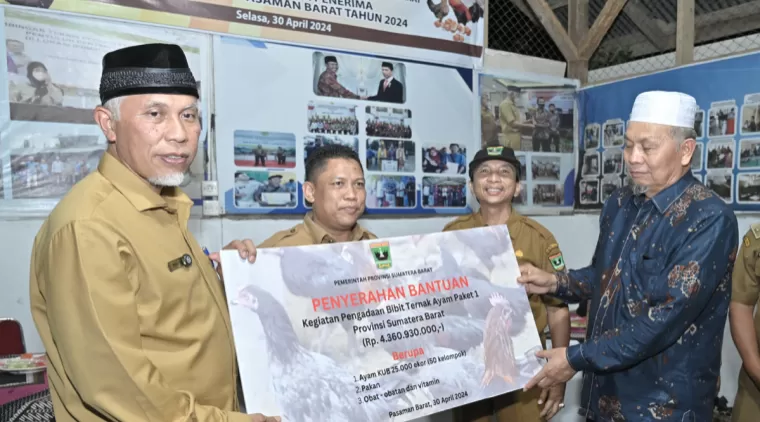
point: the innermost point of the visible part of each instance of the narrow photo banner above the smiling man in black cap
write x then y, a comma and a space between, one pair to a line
535, 116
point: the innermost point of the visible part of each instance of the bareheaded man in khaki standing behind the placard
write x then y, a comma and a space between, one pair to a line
334, 186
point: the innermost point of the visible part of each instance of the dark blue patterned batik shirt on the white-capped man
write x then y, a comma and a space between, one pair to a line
659, 284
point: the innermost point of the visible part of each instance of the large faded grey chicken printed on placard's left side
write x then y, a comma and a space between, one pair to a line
309, 386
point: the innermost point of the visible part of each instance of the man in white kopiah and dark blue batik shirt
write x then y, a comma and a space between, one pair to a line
659, 281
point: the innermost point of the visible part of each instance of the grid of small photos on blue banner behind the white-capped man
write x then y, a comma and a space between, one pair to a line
720, 130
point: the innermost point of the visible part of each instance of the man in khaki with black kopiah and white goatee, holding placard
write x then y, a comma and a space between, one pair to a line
130, 310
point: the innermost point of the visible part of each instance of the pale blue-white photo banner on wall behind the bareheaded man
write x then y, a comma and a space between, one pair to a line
415, 136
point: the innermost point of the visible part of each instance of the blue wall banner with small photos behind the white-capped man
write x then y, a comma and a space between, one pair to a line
727, 159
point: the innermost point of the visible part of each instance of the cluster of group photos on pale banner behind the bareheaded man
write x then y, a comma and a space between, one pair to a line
359, 102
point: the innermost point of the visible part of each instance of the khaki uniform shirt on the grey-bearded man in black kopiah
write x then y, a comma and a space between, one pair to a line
127, 338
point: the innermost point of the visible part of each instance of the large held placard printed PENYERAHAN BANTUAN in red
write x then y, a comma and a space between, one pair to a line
381, 330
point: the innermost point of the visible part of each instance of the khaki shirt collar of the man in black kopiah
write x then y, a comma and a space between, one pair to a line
138, 192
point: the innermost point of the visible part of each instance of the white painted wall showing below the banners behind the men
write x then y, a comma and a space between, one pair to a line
576, 235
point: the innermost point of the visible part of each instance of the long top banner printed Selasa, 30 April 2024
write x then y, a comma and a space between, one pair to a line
438, 31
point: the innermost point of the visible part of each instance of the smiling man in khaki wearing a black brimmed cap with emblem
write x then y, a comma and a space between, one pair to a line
494, 180
